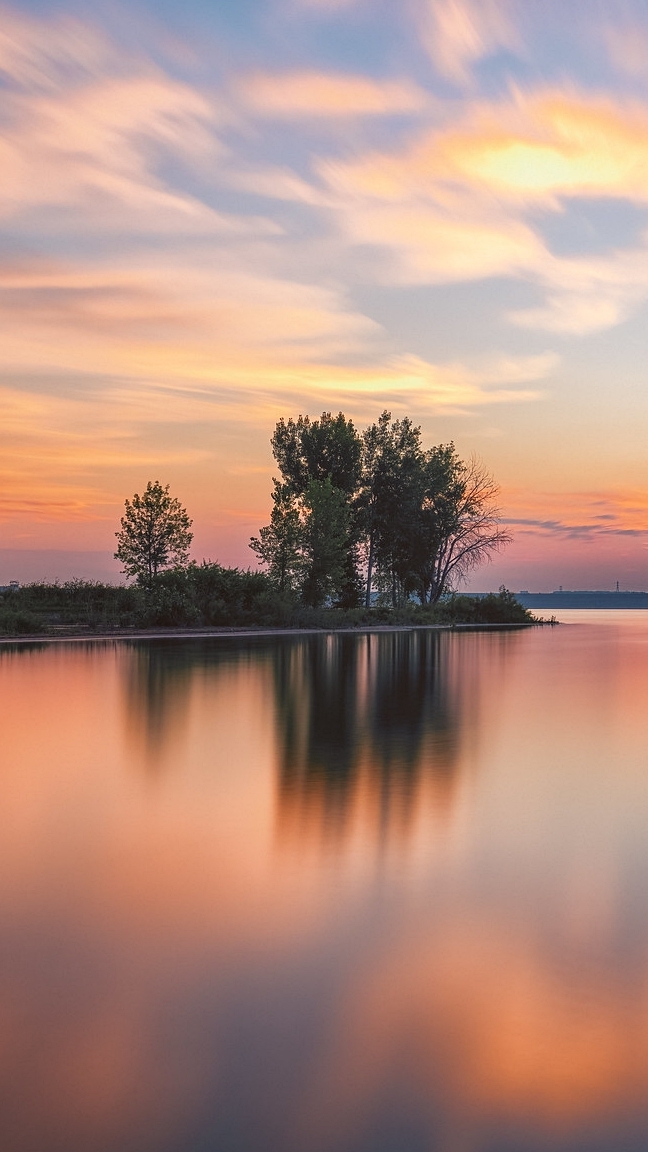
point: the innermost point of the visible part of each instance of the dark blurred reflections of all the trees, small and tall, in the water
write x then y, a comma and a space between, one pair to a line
374, 721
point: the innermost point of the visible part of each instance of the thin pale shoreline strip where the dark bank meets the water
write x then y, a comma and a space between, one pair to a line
183, 634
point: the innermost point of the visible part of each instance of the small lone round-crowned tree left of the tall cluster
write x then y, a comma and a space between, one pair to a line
155, 534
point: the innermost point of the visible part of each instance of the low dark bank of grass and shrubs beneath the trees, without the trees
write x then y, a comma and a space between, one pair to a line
209, 596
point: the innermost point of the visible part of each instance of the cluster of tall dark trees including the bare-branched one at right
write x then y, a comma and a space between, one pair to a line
417, 520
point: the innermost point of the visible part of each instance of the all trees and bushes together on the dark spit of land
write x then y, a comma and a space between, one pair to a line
417, 520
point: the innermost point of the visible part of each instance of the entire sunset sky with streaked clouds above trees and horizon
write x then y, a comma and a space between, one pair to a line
222, 213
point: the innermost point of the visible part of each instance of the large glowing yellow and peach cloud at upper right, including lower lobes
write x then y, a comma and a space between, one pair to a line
454, 206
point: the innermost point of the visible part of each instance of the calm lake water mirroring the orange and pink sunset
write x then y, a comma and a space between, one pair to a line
338, 895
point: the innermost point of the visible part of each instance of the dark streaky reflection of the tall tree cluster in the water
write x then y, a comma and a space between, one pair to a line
370, 722
